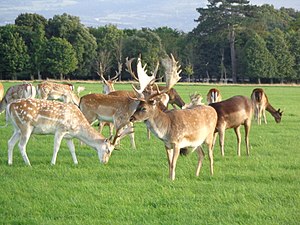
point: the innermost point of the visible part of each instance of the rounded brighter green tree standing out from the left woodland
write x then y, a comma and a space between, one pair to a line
60, 57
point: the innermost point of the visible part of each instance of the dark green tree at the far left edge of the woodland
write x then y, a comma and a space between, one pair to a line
13, 53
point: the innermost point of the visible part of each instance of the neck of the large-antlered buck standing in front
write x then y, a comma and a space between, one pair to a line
159, 123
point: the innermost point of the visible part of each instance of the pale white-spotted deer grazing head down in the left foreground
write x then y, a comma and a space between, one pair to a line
37, 116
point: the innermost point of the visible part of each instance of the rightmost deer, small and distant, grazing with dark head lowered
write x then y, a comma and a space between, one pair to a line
261, 104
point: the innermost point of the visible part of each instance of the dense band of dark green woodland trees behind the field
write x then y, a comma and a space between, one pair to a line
231, 42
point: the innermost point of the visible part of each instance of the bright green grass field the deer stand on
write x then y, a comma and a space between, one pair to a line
134, 188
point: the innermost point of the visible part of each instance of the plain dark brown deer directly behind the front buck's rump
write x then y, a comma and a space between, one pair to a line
232, 113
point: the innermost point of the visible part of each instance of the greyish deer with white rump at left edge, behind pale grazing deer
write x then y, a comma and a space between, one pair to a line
26, 90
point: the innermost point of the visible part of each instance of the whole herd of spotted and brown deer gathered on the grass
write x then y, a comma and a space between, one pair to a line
191, 126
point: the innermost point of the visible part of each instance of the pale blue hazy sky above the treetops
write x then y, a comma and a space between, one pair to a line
177, 14
